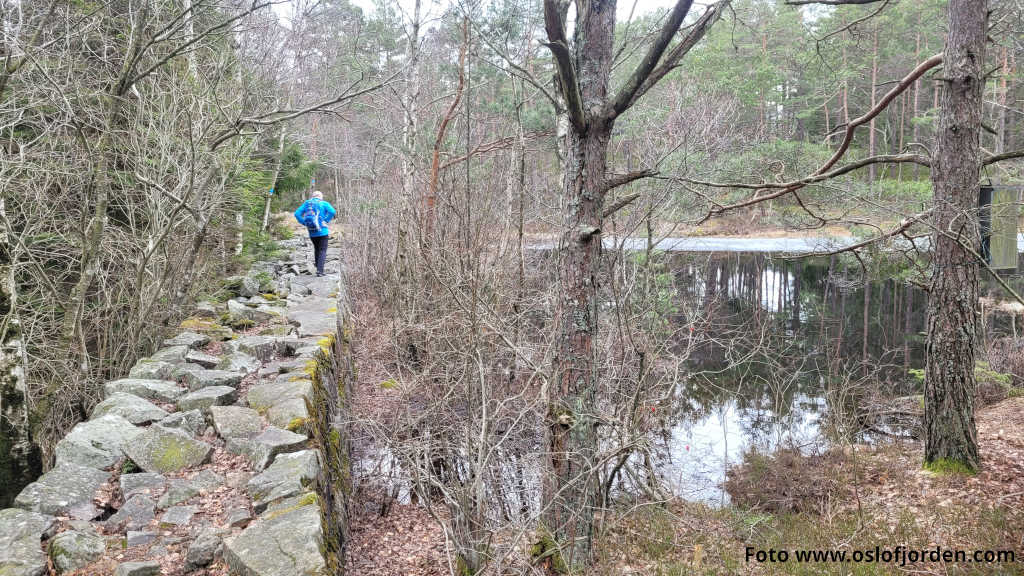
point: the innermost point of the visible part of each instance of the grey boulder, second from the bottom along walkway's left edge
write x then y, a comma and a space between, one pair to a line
64, 487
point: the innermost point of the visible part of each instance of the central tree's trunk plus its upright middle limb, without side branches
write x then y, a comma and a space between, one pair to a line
571, 490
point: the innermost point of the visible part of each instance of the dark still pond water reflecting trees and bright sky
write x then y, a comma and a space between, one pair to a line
782, 338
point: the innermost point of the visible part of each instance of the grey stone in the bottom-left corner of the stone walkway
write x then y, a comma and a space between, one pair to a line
21, 532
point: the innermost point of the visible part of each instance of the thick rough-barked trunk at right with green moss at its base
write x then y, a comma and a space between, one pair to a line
953, 322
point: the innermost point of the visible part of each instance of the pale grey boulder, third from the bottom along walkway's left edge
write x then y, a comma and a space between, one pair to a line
97, 443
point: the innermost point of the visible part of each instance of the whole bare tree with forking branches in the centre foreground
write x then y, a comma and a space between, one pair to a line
584, 77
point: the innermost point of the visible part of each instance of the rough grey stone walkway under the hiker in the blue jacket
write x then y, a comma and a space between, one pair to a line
199, 461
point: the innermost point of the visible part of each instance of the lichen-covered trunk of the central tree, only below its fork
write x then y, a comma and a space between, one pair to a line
571, 492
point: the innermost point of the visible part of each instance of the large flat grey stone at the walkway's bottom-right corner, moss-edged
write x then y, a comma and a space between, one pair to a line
257, 552
